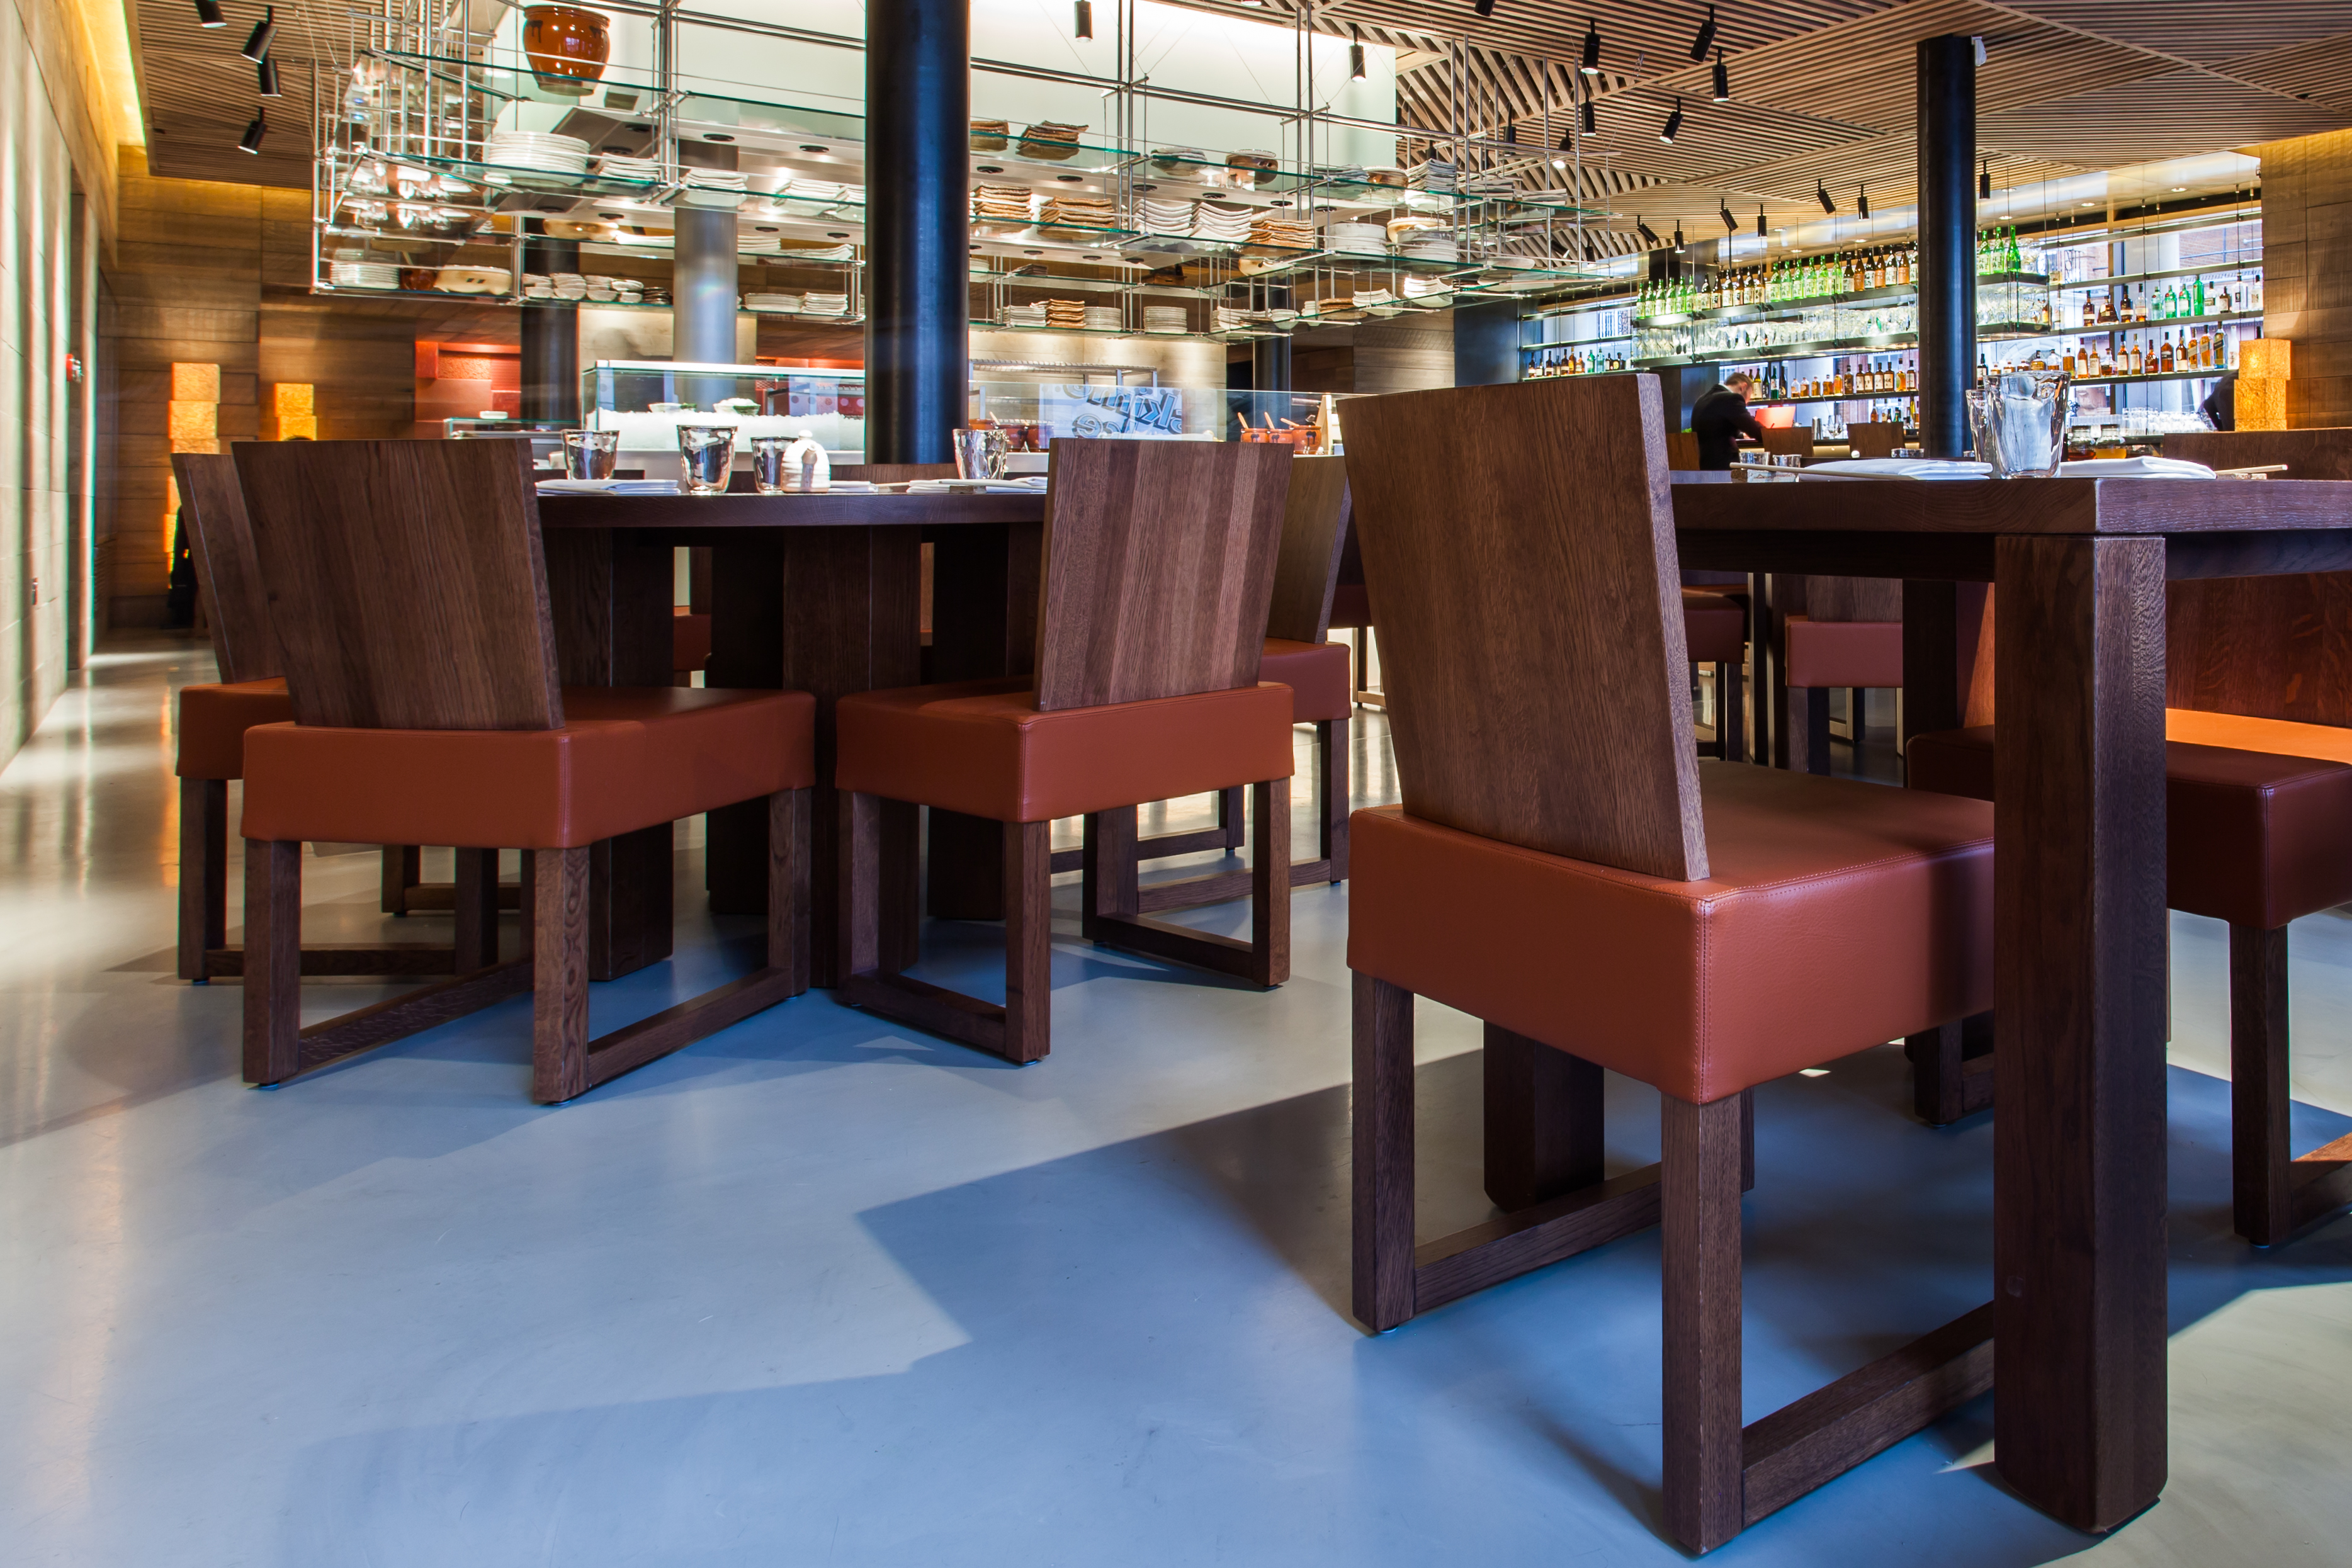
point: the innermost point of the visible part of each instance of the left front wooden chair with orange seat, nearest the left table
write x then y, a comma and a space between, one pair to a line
413, 608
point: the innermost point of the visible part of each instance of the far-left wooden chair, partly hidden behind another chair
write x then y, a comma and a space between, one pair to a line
213, 723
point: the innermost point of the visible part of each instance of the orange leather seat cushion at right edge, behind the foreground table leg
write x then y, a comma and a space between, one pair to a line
2257, 812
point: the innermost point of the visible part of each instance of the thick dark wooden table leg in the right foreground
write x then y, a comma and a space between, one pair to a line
2080, 1000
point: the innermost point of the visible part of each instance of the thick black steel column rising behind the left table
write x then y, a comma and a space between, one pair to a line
918, 128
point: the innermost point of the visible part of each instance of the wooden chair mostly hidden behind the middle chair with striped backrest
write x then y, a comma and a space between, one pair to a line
1321, 678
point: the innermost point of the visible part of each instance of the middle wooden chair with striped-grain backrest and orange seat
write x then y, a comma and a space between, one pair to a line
1158, 575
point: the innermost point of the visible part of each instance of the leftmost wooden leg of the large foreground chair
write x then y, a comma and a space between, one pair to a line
1384, 1153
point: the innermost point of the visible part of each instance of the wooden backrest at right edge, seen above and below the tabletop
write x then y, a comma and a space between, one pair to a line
2271, 648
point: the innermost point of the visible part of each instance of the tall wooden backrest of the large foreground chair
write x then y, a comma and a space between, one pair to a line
1521, 554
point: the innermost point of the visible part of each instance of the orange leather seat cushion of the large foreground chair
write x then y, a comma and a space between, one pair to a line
1836, 916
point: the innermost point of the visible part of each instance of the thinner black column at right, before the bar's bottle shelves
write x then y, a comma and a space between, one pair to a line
1946, 243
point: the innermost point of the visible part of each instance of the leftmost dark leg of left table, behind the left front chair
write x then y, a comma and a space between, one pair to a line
610, 601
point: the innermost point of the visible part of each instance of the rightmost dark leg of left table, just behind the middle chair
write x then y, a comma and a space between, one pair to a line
984, 622
